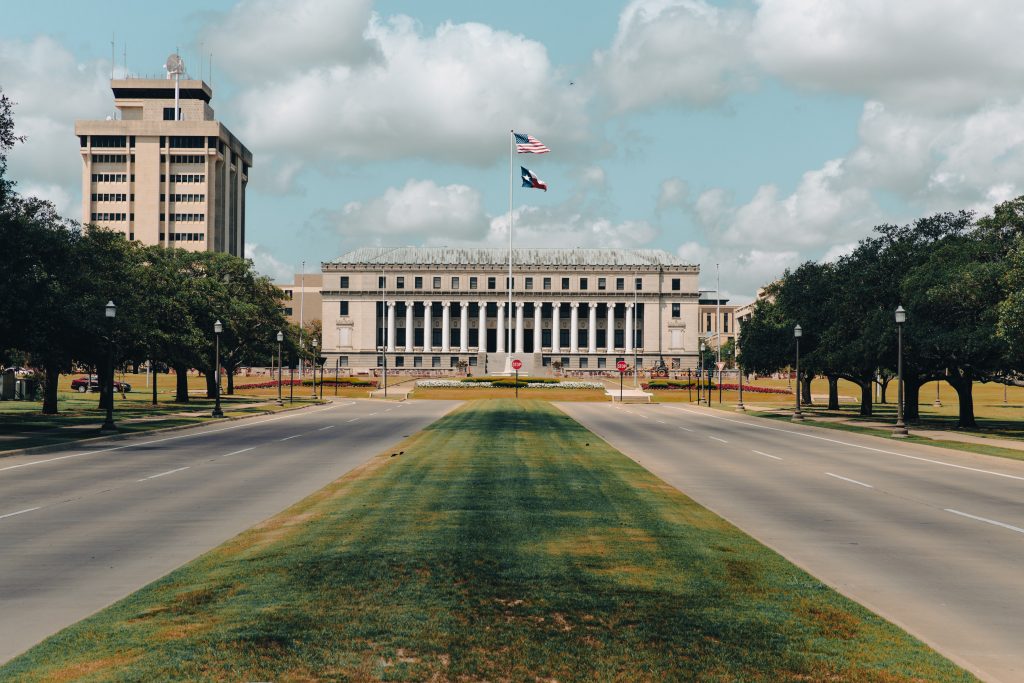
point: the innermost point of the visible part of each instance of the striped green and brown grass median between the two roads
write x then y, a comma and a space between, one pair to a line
505, 542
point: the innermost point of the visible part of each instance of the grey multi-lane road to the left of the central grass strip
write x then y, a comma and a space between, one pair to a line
81, 530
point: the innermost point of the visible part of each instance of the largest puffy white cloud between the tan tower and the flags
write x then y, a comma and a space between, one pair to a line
447, 97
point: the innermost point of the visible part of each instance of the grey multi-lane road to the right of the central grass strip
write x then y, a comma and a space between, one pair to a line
931, 539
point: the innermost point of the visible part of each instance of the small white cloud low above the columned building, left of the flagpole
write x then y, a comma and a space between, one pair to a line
420, 210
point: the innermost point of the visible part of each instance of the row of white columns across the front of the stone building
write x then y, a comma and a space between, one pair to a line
520, 332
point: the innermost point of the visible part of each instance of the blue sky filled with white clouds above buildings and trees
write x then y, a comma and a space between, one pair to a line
745, 137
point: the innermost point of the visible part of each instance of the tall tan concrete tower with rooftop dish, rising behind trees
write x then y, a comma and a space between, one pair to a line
164, 175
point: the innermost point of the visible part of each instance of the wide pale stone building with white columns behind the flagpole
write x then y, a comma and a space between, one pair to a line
582, 309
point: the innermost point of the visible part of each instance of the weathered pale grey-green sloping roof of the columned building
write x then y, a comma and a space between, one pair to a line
430, 257
